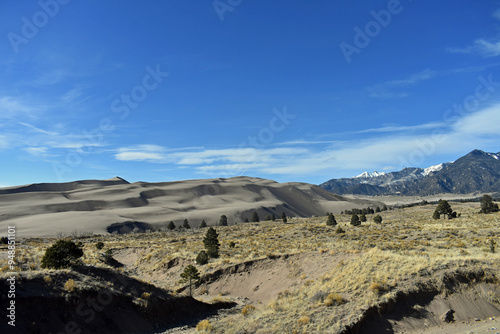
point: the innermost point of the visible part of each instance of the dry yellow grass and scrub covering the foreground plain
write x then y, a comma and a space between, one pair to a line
385, 257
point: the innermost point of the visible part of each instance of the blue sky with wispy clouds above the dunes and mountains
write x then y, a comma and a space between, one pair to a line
291, 91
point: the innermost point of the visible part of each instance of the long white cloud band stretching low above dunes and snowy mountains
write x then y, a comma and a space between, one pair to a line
391, 147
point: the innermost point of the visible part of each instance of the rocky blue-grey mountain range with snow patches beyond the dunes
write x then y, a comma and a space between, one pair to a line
476, 172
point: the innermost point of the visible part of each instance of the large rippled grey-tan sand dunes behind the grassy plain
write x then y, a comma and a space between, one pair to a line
47, 209
